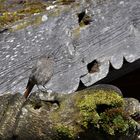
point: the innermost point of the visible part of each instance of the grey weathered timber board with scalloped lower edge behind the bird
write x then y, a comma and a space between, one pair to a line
112, 35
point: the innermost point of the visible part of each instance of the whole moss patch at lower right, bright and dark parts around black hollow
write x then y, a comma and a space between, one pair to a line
103, 110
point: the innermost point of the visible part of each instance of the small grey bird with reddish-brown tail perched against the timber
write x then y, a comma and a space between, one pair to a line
41, 73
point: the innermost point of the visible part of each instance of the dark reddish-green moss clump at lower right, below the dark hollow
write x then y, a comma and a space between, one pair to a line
116, 121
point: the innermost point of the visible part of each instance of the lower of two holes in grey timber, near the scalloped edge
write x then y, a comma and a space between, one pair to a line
93, 66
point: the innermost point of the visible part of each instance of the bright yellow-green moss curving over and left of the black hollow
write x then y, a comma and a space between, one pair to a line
88, 105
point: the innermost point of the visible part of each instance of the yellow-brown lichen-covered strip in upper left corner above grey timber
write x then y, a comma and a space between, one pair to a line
24, 9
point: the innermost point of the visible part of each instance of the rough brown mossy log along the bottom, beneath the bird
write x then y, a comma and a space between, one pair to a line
81, 115
